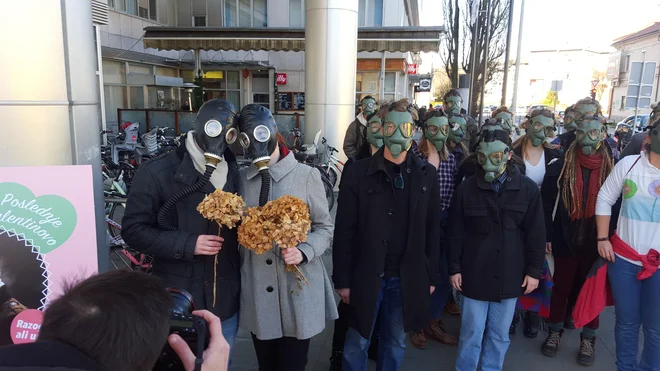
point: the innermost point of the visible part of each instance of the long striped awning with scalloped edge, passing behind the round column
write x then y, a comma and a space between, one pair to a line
390, 39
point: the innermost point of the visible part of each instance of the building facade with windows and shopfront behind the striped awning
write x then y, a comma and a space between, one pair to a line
135, 77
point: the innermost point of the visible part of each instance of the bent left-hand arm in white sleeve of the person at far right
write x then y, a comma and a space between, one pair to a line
607, 197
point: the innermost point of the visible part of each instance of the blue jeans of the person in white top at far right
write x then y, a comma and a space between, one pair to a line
635, 303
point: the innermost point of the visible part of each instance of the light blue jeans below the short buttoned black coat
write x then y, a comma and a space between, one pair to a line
492, 318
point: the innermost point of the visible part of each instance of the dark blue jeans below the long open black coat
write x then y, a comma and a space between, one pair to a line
392, 343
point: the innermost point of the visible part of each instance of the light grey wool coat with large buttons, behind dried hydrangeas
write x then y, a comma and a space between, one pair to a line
273, 304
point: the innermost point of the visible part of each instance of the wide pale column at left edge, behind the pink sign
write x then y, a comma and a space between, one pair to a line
49, 96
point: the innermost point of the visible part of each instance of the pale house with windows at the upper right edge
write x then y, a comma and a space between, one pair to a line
624, 72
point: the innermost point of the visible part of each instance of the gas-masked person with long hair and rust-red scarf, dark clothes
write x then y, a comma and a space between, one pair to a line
588, 162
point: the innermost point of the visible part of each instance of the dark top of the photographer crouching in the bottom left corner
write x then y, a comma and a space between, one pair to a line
45, 355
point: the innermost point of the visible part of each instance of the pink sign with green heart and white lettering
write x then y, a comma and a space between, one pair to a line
47, 238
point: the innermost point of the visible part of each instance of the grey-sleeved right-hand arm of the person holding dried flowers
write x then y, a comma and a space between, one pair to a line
320, 236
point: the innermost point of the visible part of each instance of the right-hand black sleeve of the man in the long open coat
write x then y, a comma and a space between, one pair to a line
433, 248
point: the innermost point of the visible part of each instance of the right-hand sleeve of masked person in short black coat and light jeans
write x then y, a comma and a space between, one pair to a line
534, 231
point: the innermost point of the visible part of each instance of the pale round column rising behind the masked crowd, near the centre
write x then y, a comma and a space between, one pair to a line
330, 63
